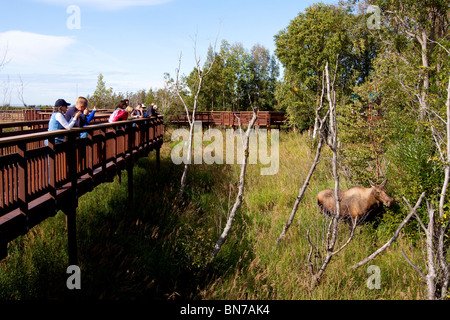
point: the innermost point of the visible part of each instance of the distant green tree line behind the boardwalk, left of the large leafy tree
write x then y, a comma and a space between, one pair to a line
237, 74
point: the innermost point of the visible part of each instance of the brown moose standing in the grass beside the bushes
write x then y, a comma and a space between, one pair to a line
356, 203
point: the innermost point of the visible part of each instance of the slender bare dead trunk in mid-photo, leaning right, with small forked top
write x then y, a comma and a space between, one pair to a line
238, 202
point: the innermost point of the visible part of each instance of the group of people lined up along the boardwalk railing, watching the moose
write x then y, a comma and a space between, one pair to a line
79, 115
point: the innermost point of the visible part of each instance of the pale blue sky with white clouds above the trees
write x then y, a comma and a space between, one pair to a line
131, 42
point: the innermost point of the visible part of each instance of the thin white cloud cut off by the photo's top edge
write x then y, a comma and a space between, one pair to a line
107, 4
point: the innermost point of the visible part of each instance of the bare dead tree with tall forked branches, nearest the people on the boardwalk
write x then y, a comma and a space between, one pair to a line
201, 74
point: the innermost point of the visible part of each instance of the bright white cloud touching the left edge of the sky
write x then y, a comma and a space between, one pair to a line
26, 48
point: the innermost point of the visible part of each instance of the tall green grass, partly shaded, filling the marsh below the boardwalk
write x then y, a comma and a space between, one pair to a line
155, 249
